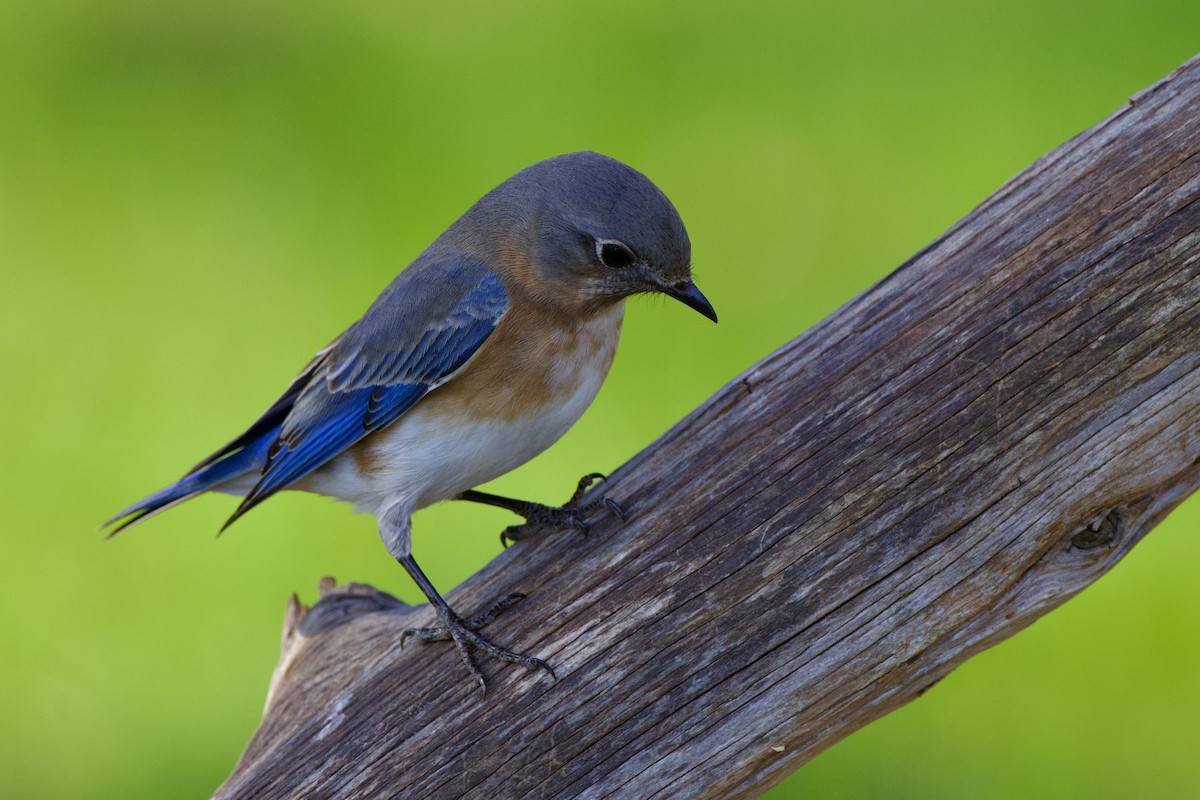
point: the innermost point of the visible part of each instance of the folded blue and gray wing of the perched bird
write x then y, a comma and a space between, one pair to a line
424, 327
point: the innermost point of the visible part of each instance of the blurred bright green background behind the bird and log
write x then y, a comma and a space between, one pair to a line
196, 197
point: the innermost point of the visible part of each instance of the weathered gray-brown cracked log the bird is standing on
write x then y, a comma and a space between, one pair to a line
953, 454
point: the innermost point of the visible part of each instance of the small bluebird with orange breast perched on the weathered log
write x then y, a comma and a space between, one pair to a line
473, 360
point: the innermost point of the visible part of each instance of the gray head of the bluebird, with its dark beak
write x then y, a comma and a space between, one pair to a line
584, 231
